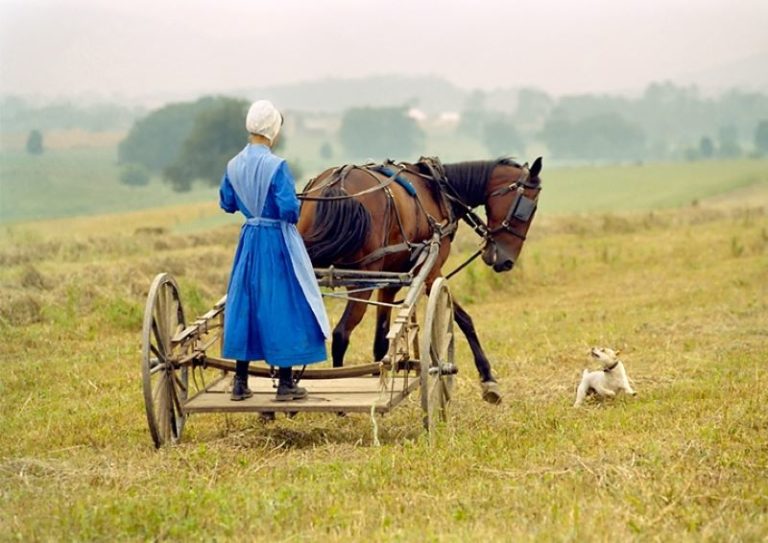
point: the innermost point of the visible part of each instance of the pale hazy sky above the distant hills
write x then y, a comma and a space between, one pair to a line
135, 48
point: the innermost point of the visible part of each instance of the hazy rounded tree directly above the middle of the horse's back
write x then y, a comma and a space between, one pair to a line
379, 132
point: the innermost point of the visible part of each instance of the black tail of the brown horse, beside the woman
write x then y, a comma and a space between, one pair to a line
339, 230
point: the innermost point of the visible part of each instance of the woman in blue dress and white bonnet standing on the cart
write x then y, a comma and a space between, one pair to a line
274, 309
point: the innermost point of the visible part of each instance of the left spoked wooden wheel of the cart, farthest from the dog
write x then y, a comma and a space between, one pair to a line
165, 385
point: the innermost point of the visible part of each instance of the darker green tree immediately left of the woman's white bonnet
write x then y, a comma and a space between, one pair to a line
217, 134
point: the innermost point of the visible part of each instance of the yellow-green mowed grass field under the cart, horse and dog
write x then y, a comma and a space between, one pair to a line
683, 293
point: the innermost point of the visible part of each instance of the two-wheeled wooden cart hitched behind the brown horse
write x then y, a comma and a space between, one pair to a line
419, 357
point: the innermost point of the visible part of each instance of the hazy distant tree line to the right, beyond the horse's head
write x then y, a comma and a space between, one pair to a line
665, 122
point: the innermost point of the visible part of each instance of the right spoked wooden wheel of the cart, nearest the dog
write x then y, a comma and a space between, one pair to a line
437, 355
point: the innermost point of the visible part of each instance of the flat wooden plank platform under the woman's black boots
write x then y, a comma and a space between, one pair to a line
329, 395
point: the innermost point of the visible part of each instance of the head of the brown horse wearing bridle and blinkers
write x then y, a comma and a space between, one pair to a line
512, 195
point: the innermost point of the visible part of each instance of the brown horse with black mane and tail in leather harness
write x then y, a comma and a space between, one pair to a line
376, 218
